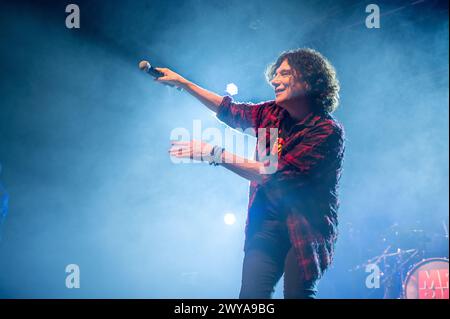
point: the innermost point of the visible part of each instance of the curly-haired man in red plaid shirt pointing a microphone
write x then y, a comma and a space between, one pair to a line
292, 213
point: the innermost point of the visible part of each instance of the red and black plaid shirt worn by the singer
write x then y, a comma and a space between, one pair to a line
304, 187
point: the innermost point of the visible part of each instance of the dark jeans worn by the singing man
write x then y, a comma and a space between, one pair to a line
265, 261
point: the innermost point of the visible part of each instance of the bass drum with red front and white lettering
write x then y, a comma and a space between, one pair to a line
427, 279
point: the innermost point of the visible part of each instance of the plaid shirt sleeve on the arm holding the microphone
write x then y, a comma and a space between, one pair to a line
240, 115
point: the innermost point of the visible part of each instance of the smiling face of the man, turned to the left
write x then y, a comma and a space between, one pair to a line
287, 85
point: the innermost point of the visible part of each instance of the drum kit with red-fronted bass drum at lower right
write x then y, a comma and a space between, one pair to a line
409, 272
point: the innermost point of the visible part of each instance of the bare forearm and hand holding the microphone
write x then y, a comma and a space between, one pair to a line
208, 98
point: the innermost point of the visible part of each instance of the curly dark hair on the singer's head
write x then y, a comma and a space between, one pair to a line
317, 72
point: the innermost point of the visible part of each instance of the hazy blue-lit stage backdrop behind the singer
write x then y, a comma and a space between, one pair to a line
84, 138
